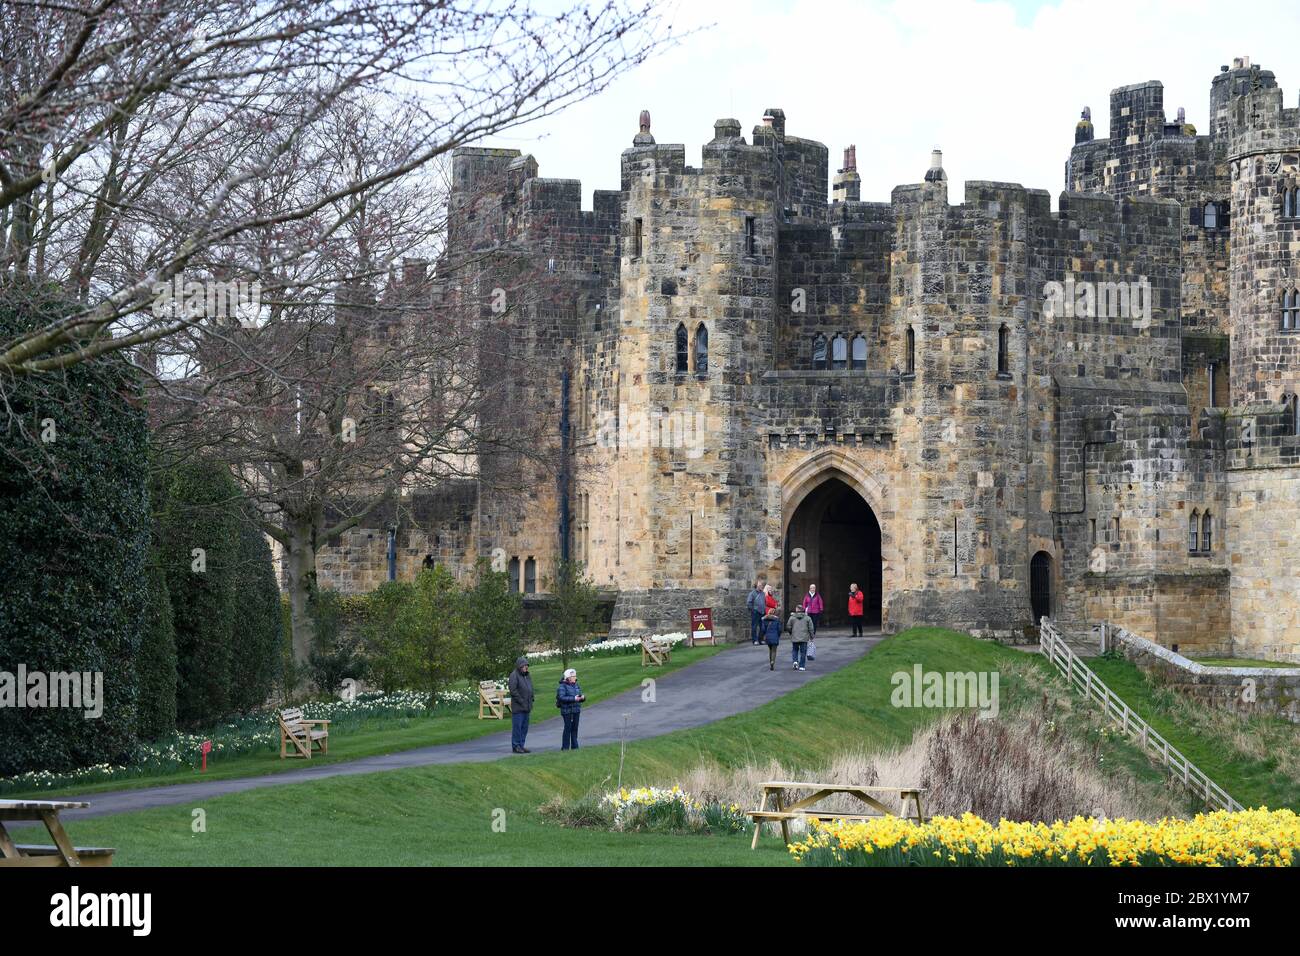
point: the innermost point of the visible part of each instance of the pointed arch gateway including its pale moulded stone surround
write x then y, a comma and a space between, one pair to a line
833, 524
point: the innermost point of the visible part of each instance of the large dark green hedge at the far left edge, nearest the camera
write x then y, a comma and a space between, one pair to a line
75, 533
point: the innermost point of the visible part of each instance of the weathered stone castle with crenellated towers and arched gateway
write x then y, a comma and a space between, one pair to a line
981, 413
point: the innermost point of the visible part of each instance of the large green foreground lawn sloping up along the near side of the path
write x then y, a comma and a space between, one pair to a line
445, 815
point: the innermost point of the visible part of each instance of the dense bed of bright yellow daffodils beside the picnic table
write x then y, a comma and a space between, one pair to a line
1246, 838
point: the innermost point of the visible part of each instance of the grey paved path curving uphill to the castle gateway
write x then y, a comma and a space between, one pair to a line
733, 682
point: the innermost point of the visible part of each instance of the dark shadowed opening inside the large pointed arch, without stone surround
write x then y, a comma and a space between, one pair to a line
839, 539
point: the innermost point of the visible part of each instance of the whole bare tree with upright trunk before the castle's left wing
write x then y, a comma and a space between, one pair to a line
362, 380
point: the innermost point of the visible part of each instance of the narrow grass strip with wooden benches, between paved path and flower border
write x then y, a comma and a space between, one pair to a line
601, 678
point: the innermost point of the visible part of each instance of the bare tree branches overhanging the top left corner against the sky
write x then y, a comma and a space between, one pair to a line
141, 139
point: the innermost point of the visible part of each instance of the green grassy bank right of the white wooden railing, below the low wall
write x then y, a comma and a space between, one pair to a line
1253, 781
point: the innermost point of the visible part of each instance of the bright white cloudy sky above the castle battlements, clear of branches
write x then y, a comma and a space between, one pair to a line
998, 85
